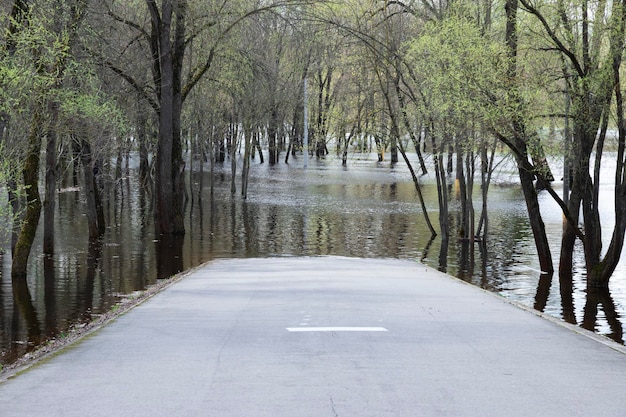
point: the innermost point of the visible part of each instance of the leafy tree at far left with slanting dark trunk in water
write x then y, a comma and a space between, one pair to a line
45, 50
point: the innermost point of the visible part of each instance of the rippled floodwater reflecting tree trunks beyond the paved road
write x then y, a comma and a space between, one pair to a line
367, 209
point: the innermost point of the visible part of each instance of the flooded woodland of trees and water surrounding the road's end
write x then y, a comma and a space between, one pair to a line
484, 139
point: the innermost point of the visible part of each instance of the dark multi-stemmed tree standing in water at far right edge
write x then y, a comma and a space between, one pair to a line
589, 38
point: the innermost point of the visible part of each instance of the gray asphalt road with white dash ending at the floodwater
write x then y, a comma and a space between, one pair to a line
289, 337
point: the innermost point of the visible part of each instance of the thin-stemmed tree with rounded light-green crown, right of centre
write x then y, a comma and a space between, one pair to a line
448, 76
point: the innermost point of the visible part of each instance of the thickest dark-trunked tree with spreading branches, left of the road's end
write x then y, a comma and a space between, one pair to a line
173, 25
